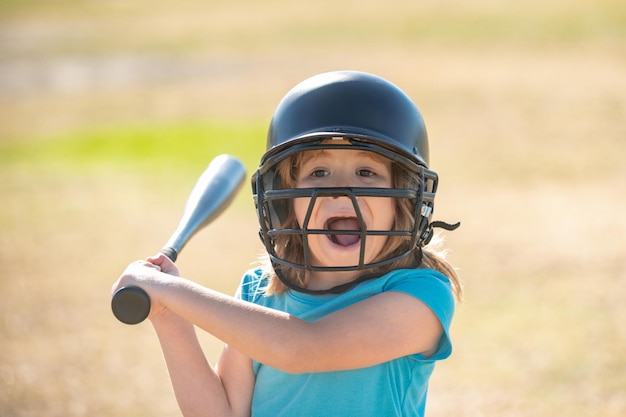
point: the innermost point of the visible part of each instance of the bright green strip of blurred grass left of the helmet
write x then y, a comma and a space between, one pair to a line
184, 146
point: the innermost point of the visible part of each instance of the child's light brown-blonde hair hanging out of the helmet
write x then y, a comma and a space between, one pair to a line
291, 246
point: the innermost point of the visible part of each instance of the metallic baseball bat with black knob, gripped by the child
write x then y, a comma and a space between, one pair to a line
213, 192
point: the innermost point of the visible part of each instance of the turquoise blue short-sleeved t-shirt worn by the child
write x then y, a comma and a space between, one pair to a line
394, 388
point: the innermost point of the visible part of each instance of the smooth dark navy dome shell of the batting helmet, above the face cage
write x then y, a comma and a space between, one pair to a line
349, 104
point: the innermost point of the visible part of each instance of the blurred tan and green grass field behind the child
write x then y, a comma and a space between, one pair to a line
109, 112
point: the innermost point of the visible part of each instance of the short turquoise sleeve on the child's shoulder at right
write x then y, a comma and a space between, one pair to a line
433, 289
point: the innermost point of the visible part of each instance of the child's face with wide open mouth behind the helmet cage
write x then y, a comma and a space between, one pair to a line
344, 168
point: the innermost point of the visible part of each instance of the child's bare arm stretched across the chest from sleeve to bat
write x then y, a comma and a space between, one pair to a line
376, 330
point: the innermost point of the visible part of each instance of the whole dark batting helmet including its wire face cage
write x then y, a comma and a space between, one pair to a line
344, 110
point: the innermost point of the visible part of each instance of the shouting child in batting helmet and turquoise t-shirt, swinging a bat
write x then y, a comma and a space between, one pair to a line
350, 311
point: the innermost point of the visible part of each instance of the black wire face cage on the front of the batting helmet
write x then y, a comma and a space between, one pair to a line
274, 200
